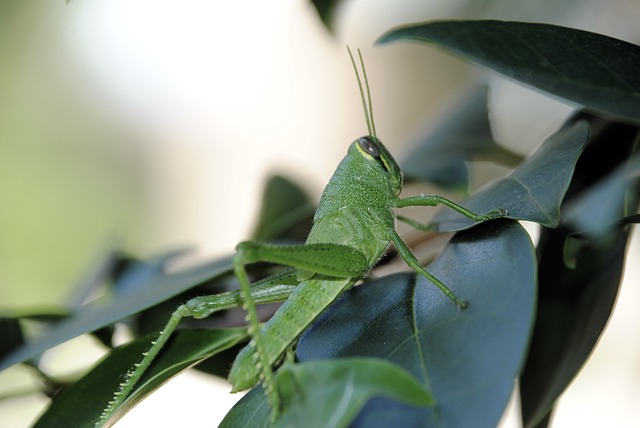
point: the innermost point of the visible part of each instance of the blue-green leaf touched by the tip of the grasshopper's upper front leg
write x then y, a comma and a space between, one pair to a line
535, 190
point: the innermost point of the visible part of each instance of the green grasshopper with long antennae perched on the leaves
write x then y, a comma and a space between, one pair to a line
352, 227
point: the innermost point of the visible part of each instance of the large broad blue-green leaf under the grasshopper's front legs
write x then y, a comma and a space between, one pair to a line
468, 359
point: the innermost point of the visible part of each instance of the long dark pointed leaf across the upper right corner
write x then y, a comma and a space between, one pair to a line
590, 69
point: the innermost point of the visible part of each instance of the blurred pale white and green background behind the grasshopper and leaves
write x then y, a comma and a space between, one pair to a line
148, 125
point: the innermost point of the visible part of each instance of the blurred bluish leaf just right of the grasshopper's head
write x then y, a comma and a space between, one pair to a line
441, 156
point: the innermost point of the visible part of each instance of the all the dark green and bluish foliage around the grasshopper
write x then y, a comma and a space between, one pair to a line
535, 312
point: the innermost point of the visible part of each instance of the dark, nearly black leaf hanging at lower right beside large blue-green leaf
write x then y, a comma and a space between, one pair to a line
575, 303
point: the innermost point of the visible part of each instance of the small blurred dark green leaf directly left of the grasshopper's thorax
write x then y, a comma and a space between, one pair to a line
286, 212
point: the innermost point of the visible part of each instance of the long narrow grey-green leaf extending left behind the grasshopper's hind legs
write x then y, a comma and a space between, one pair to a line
95, 316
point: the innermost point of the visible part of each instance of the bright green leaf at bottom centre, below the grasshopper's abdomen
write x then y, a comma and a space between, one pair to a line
332, 392
